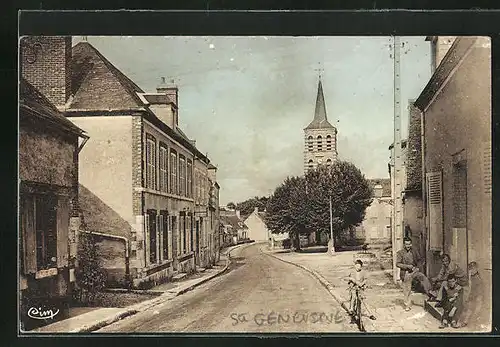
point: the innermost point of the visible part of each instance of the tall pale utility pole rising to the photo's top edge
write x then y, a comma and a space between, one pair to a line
397, 234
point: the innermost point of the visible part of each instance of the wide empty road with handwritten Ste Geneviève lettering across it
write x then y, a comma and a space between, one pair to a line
258, 294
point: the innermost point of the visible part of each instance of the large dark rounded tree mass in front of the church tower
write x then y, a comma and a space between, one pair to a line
302, 204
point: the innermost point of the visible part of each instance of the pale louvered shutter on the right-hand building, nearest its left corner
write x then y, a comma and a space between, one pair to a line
435, 210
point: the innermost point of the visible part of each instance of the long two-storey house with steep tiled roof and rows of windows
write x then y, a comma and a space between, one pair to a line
137, 175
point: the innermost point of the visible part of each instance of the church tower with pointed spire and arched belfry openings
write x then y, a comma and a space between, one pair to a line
320, 136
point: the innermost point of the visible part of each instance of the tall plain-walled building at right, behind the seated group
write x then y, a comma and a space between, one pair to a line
455, 109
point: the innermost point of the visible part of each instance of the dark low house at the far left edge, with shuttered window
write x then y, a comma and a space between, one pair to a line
49, 216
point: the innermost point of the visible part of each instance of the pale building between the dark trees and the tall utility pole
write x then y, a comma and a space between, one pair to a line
375, 227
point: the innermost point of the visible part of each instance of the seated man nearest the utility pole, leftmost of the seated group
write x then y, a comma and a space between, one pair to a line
408, 260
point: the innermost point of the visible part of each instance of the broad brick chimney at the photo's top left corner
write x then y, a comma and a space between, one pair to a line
46, 64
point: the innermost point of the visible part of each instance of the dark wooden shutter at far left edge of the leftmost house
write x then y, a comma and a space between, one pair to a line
29, 235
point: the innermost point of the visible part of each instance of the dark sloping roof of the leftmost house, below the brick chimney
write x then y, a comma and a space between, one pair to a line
34, 101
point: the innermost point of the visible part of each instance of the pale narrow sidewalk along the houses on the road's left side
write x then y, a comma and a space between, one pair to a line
98, 318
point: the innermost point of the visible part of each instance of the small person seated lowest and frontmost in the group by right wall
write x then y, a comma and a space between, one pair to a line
452, 302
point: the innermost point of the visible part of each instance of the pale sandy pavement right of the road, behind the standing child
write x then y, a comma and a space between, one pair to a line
383, 298
